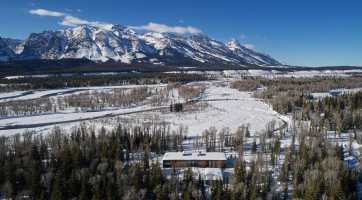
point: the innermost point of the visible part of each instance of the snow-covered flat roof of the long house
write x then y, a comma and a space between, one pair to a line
194, 156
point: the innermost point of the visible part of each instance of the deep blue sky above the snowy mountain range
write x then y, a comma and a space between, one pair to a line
300, 32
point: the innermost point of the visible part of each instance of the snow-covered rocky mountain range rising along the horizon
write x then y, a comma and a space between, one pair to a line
126, 45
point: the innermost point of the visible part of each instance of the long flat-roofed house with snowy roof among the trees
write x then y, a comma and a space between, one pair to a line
194, 159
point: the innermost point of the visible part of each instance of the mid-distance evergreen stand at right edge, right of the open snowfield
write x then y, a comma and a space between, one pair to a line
338, 113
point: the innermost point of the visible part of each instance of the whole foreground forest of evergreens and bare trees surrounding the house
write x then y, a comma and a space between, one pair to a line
122, 164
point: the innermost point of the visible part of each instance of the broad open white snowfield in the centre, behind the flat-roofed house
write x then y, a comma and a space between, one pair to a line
227, 108
